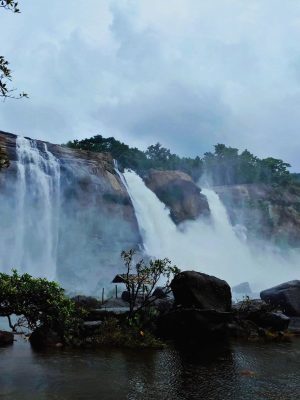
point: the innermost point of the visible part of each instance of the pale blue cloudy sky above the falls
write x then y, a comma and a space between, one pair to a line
185, 73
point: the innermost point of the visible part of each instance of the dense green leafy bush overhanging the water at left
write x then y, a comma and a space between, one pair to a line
38, 302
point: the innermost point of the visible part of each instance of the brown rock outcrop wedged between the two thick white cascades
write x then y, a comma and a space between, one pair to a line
180, 194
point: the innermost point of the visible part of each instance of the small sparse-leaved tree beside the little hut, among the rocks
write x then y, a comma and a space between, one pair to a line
142, 278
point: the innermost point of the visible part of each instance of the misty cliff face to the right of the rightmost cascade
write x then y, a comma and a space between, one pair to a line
267, 212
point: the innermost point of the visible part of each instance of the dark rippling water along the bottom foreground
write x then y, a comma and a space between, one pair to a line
244, 371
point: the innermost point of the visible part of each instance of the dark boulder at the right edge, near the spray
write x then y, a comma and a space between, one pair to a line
285, 296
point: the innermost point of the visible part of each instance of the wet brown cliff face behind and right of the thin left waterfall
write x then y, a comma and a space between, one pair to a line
96, 216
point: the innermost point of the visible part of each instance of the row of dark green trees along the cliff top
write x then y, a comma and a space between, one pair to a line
224, 166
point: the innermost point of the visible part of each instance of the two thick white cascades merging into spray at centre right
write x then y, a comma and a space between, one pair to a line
207, 245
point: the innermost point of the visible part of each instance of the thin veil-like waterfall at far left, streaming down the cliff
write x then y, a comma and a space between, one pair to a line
29, 242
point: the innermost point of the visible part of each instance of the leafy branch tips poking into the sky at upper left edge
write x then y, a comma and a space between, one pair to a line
5, 72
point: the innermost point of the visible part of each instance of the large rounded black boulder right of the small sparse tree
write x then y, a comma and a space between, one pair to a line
202, 291
